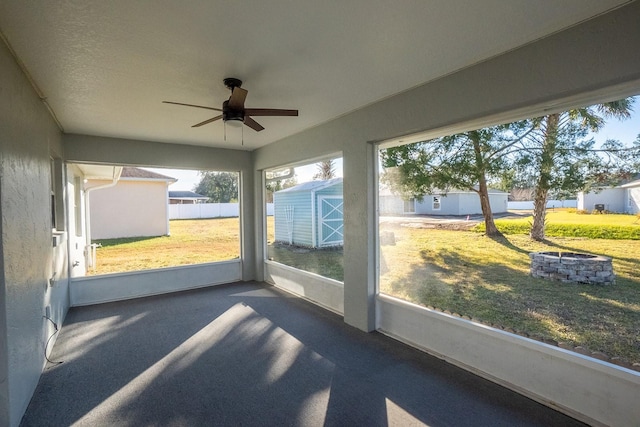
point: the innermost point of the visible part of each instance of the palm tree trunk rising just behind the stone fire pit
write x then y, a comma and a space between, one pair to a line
544, 179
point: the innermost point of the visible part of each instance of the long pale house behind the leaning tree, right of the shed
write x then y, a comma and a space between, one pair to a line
453, 202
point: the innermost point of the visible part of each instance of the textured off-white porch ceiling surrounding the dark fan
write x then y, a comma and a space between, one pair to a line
105, 66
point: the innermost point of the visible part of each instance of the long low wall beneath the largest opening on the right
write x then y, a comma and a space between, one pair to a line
595, 392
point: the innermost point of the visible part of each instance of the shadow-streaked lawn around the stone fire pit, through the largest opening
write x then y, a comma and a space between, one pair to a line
469, 274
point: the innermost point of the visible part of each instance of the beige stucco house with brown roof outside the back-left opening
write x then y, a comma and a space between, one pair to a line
136, 205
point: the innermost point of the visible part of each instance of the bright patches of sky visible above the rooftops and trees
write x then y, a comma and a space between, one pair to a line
625, 131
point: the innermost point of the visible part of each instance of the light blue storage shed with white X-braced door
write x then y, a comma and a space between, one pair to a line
310, 214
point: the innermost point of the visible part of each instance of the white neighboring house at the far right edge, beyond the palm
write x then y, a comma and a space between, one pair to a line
623, 198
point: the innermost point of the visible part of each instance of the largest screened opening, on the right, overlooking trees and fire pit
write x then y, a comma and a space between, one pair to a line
459, 264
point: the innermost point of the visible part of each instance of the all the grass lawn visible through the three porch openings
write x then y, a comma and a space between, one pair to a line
460, 271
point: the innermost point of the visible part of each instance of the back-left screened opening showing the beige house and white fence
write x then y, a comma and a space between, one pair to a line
133, 226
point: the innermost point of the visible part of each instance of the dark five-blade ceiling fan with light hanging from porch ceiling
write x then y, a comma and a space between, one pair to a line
233, 110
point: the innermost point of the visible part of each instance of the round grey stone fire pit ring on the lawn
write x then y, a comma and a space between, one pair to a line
571, 267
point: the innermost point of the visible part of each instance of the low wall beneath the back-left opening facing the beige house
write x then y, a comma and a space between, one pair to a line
121, 286
